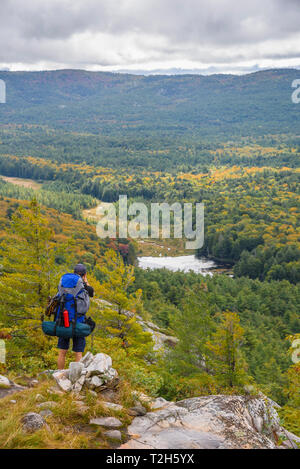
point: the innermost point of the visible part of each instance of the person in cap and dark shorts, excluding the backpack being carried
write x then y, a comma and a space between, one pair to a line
78, 342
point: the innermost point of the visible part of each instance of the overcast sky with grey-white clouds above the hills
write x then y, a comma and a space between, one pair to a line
208, 35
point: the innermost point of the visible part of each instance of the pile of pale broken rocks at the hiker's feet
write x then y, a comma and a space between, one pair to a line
94, 372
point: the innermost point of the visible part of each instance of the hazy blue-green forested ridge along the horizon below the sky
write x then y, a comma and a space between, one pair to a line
111, 103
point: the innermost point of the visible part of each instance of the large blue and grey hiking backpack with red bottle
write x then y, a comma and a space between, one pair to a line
72, 299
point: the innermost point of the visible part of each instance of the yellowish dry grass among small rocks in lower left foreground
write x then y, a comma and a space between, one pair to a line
67, 428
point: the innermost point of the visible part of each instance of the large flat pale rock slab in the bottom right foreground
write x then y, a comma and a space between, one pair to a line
213, 422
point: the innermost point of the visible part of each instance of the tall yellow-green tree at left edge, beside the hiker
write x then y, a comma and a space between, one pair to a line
30, 275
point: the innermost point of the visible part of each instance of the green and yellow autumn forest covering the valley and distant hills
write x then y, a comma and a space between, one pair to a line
86, 138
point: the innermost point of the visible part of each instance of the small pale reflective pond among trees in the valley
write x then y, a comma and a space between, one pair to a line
184, 263
